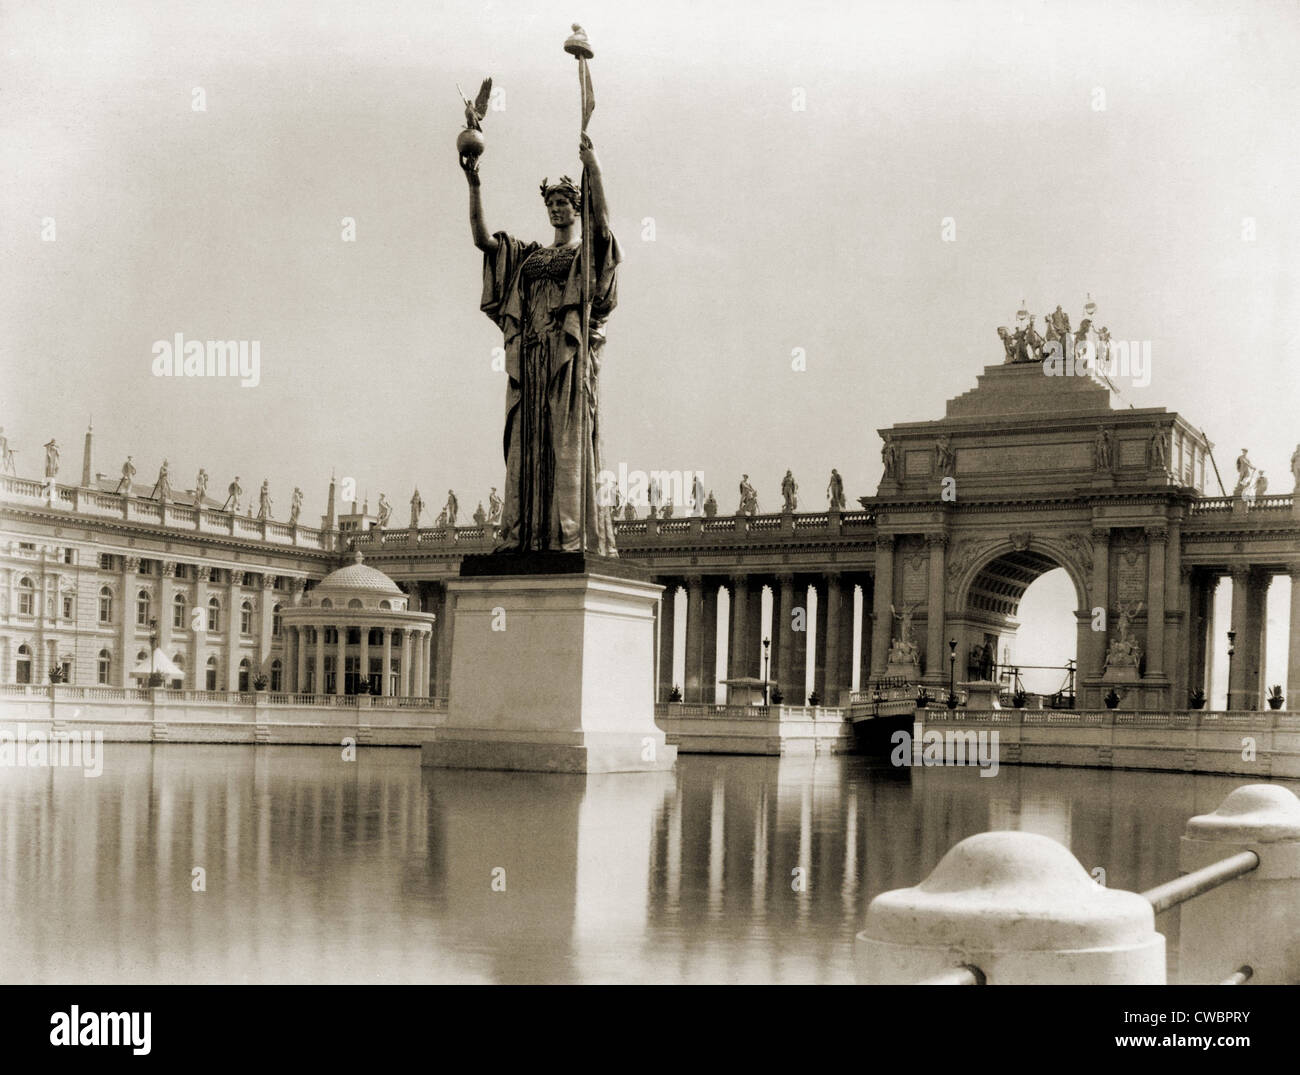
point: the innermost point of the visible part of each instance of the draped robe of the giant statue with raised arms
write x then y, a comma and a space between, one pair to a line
535, 297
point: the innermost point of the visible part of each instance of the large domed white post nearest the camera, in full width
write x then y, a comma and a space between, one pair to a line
1021, 909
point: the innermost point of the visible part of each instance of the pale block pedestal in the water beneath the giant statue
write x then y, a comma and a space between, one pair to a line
552, 674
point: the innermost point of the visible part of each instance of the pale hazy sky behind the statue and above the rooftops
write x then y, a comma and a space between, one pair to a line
774, 228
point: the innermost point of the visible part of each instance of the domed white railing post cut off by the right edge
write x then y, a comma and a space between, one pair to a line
1254, 921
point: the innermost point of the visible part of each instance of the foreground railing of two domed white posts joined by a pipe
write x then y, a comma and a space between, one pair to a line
1020, 909
